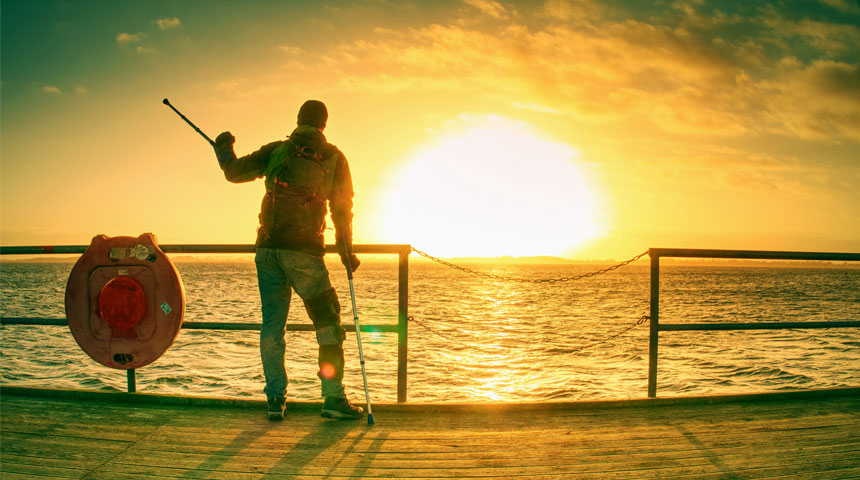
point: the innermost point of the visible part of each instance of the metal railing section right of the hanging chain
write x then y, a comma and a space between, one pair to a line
657, 327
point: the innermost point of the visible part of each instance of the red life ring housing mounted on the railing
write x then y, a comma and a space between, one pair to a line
124, 301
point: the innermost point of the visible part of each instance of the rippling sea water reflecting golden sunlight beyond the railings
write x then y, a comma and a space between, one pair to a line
473, 338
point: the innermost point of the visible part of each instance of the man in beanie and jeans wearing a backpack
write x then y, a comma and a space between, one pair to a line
304, 177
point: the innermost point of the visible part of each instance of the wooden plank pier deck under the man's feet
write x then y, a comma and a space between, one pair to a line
118, 436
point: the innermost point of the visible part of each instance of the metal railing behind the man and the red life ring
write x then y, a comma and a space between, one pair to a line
402, 251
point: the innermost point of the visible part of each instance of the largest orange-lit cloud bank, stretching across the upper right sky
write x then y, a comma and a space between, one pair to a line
699, 74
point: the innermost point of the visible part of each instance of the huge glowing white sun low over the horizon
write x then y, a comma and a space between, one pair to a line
493, 189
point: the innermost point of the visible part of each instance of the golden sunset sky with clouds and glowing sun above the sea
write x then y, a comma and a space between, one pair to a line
583, 129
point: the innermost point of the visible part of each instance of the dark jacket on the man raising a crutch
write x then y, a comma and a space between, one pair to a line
302, 213
